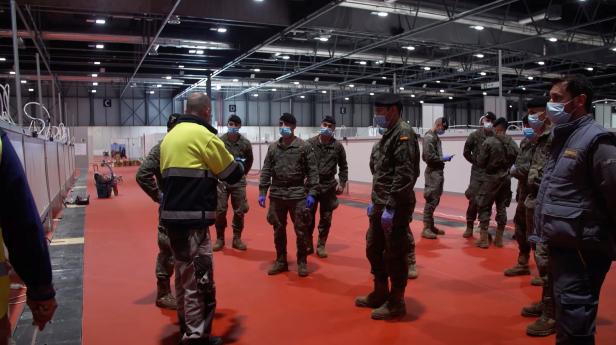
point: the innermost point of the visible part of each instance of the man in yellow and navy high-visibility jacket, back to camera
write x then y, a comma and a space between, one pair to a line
192, 158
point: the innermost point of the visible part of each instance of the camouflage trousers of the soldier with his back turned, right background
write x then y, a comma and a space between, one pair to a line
494, 190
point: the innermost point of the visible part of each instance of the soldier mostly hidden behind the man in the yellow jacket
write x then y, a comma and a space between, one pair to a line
149, 179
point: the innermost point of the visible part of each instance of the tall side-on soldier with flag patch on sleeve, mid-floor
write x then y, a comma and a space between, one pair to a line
395, 167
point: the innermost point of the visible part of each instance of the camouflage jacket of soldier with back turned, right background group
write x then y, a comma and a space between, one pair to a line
497, 154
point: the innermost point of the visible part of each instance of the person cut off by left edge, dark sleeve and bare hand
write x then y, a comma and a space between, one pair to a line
21, 231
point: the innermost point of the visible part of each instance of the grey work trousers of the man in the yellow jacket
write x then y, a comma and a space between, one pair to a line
194, 282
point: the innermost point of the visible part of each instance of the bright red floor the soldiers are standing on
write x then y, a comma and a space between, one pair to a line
461, 296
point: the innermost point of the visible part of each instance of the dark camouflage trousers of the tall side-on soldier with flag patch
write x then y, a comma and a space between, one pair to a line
388, 251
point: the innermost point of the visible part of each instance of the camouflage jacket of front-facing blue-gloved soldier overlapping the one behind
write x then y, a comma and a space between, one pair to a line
289, 171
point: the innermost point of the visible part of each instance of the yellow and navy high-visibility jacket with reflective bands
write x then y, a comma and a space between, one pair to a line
192, 158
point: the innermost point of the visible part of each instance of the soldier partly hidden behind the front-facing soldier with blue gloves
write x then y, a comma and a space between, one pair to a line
330, 156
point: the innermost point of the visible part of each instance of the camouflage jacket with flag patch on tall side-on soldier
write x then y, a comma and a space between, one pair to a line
394, 164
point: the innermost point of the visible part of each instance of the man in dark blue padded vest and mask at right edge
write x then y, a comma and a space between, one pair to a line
575, 207
